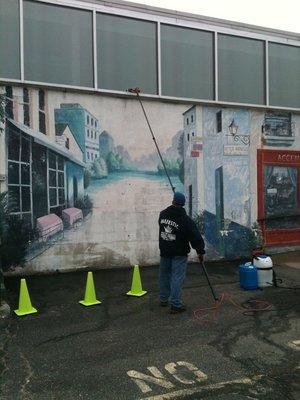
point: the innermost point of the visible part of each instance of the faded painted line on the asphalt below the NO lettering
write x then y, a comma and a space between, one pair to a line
220, 385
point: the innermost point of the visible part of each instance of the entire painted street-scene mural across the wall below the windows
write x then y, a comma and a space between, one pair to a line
82, 184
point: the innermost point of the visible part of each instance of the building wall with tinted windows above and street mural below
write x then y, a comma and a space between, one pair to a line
223, 100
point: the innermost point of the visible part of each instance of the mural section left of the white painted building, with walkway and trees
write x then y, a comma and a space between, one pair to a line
84, 179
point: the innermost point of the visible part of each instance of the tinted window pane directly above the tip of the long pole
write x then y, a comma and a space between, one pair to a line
126, 53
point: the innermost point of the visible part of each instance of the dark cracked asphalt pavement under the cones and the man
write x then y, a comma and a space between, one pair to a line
131, 348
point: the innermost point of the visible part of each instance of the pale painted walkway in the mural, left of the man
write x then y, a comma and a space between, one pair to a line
125, 212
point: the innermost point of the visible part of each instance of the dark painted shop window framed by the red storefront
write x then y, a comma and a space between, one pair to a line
281, 197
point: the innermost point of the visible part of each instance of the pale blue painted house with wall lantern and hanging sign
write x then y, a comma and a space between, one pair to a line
227, 180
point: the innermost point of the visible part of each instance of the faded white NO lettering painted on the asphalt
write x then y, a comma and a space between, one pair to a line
181, 371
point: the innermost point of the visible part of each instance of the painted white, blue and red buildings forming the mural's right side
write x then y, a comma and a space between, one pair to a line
221, 164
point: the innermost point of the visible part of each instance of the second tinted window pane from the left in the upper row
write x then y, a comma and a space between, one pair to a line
58, 44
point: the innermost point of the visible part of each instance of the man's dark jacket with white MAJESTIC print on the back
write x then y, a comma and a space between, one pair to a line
176, 232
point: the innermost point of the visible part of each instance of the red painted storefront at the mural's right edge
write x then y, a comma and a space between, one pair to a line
278, 180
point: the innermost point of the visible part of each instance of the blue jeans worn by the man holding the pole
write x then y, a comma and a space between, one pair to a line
171, 278
